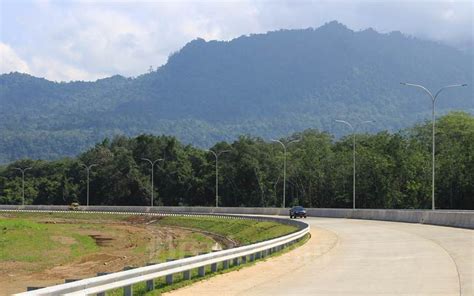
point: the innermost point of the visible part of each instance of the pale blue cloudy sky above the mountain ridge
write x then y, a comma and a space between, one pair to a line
89, 40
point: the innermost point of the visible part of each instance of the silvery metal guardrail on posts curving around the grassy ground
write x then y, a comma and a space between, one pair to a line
126, 279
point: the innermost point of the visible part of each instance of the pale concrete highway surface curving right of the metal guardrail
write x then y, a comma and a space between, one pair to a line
359, 257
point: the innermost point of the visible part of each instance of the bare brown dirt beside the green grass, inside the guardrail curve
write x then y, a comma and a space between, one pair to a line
135, 242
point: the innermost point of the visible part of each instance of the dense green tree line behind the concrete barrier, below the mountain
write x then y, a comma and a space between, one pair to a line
393, 171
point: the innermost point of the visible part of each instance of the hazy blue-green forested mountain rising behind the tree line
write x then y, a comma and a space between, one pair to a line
267, 85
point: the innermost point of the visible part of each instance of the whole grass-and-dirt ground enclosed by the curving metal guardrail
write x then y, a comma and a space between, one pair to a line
38, 249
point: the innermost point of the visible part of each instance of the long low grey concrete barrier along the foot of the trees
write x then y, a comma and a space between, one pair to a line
463, 219
